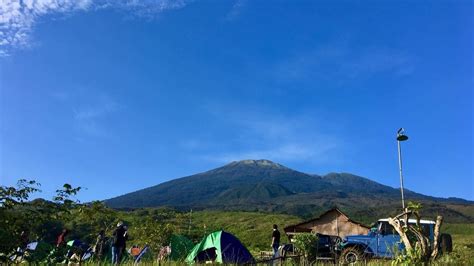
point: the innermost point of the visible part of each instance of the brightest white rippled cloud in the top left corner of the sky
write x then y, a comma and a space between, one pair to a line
19, 17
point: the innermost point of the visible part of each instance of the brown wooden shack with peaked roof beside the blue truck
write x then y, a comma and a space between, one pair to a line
333, 222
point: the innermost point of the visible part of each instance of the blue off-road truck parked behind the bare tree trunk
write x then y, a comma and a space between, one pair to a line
384, 242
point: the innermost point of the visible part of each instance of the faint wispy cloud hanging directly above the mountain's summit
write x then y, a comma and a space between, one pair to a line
256, 135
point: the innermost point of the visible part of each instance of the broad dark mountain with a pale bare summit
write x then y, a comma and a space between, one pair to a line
262, 185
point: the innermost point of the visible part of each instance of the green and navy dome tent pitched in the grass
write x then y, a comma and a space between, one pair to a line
221, 247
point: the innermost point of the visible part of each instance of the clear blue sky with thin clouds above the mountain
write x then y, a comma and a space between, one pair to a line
120, 95
